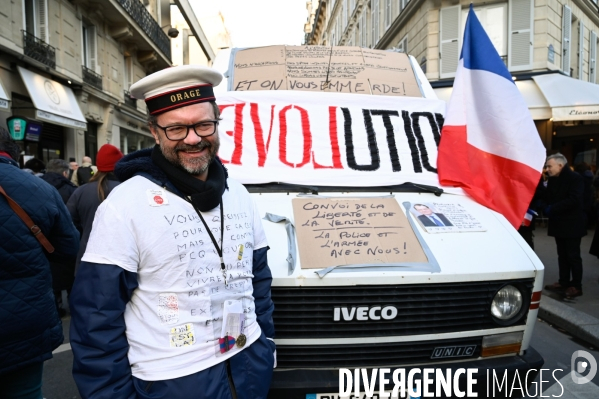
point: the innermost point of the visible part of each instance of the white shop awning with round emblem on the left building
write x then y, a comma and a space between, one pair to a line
54, 102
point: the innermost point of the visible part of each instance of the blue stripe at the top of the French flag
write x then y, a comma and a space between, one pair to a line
478, 51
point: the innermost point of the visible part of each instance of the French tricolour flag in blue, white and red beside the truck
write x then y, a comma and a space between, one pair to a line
489, 144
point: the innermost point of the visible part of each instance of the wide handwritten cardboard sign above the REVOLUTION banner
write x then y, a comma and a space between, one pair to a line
325, 69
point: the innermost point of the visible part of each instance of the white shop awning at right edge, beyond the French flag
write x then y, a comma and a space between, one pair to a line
570, 99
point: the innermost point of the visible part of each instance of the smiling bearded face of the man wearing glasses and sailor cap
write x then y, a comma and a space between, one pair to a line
194, 153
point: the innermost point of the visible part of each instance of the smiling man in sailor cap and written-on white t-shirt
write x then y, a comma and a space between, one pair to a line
172, 298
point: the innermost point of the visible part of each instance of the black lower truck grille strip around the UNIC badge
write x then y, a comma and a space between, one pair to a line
369, 355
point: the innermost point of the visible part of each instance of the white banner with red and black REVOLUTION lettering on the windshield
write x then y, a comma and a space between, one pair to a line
329, 139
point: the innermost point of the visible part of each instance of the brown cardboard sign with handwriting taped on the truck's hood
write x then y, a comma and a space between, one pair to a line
345, 231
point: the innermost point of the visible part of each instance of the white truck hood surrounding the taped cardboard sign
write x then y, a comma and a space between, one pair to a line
497, 253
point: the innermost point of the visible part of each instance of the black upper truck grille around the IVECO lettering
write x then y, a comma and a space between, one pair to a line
307, 312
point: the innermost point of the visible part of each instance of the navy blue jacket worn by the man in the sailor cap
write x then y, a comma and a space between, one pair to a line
101, 292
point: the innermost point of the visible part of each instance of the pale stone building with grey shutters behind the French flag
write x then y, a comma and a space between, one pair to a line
534, 38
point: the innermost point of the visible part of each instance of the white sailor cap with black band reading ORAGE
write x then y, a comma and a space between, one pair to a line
176, 87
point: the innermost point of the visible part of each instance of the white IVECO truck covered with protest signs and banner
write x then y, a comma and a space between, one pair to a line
375, 266
